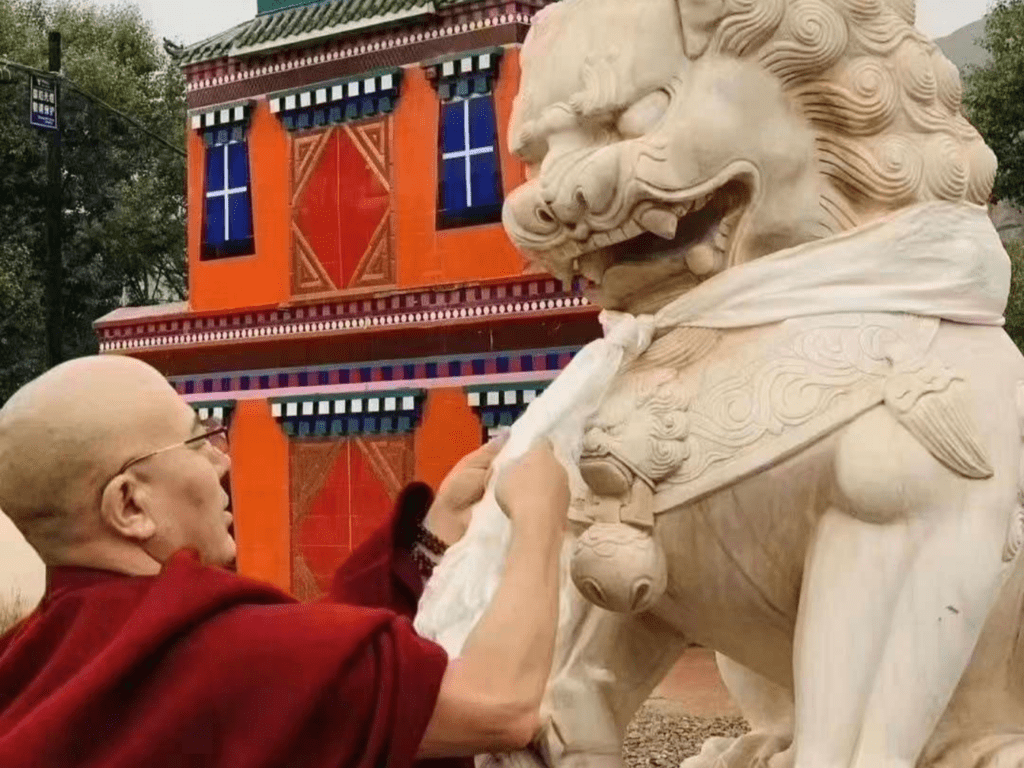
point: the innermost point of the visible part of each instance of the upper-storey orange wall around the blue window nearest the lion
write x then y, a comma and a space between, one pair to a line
425, 255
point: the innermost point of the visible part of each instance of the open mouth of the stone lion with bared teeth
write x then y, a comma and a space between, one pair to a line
700, 229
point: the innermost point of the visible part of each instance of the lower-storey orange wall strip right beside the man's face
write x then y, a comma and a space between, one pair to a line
261, 494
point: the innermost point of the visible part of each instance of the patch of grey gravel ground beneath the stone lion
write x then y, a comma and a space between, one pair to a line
661, 737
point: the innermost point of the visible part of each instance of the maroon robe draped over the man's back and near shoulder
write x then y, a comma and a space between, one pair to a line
199, 668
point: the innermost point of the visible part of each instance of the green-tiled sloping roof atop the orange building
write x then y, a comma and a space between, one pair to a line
308, 24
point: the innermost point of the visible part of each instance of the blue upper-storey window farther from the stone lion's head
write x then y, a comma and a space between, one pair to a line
228, 222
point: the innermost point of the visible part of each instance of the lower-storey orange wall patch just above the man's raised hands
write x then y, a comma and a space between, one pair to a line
448, 432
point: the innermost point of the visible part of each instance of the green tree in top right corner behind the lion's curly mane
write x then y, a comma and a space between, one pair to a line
995, 97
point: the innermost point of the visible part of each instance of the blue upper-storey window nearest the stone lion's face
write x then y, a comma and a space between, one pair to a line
471, 172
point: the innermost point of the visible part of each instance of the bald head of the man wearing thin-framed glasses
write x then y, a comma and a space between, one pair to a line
65, 442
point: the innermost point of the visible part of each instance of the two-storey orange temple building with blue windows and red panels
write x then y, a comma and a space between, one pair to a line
356, 311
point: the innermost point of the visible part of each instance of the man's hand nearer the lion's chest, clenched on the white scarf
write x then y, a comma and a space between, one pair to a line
534, 489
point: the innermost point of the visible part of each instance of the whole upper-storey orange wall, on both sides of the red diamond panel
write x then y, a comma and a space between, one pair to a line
425, 257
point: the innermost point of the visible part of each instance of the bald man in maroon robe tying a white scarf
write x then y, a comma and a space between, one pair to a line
146, 652
